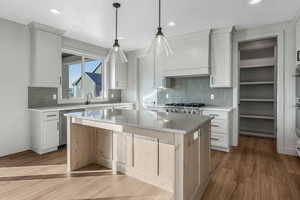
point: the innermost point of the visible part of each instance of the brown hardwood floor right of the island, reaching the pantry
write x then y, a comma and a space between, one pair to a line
254, 171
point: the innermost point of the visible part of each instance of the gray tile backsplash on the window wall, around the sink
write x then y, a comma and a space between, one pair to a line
43, 97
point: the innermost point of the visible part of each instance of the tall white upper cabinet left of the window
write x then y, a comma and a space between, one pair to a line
45, 55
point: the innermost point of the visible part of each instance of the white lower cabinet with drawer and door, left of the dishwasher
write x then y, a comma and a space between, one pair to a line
44, 131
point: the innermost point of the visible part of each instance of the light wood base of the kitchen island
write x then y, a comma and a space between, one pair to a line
177, 163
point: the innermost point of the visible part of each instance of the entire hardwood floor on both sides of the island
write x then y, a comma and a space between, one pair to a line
251, 171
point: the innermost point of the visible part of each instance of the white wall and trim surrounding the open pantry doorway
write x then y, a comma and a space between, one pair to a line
286, 137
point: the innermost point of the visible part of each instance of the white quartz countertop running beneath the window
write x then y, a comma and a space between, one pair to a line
71, 107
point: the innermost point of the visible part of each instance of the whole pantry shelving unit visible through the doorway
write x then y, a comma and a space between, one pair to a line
258, 88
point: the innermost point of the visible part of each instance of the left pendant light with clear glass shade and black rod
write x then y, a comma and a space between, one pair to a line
116, 53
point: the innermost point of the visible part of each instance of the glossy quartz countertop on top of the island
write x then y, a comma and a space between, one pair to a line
144, 119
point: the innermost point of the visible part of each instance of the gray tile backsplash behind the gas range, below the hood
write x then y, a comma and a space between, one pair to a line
189, 90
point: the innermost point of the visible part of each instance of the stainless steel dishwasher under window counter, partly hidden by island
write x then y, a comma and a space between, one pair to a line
63, 125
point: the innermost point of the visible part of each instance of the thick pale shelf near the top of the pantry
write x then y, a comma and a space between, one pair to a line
256, 63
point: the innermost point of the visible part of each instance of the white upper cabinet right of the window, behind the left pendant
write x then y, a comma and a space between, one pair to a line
118, 75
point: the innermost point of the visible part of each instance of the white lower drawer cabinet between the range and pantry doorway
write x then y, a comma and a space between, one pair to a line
221, 129
